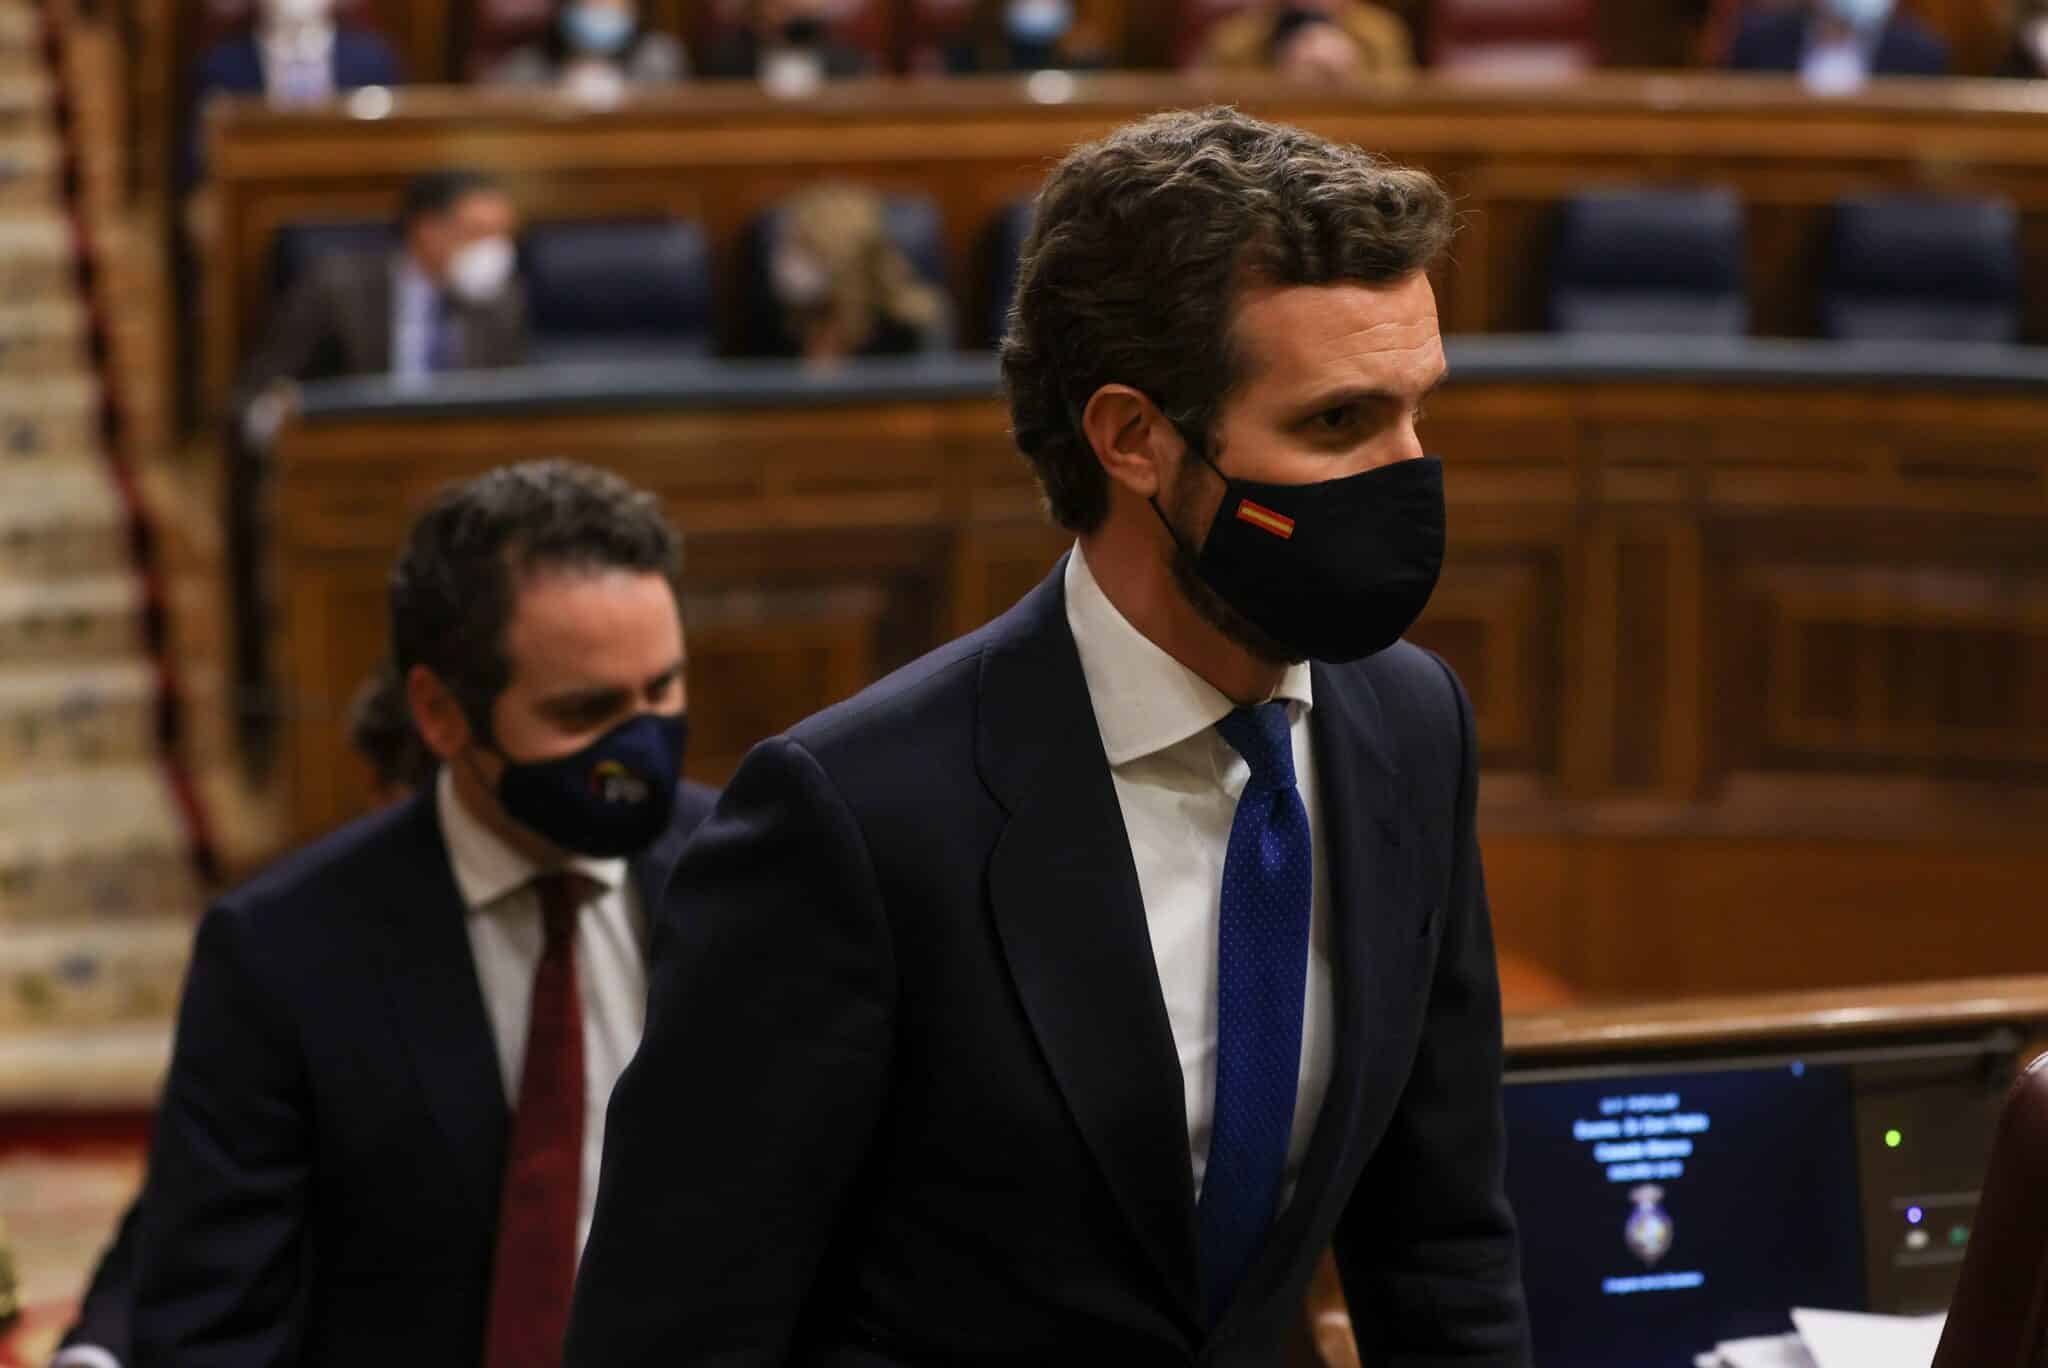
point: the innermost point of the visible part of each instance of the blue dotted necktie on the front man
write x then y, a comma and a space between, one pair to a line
1269, 882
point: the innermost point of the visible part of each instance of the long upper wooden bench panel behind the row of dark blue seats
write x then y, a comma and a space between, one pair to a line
1510, 155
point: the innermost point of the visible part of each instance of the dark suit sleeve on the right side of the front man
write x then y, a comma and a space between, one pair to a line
1428, 1246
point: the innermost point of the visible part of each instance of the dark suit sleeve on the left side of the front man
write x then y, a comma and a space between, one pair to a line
742, 1121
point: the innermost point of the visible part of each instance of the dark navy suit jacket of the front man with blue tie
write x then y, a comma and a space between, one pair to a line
908, 1091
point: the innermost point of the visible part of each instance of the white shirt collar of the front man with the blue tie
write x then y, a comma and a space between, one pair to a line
1146, 701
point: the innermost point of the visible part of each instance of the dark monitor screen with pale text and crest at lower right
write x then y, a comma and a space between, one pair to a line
1666, 1213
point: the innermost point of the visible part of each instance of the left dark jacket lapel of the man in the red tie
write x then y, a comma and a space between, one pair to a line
431, 978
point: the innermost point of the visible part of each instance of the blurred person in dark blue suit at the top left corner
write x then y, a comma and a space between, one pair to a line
296, 54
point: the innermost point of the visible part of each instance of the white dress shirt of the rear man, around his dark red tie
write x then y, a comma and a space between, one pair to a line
507, 941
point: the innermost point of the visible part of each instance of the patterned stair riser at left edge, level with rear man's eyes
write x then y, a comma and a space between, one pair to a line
60, 720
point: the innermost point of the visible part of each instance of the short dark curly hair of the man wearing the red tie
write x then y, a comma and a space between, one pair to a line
456, 583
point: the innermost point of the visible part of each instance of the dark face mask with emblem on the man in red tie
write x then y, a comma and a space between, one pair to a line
609, 800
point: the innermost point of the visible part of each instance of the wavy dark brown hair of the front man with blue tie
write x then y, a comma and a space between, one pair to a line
1142, 249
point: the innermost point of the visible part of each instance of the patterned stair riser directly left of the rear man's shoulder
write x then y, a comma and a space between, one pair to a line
69, 978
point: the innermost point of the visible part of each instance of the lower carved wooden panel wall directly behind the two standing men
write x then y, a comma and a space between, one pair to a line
1762, 675
